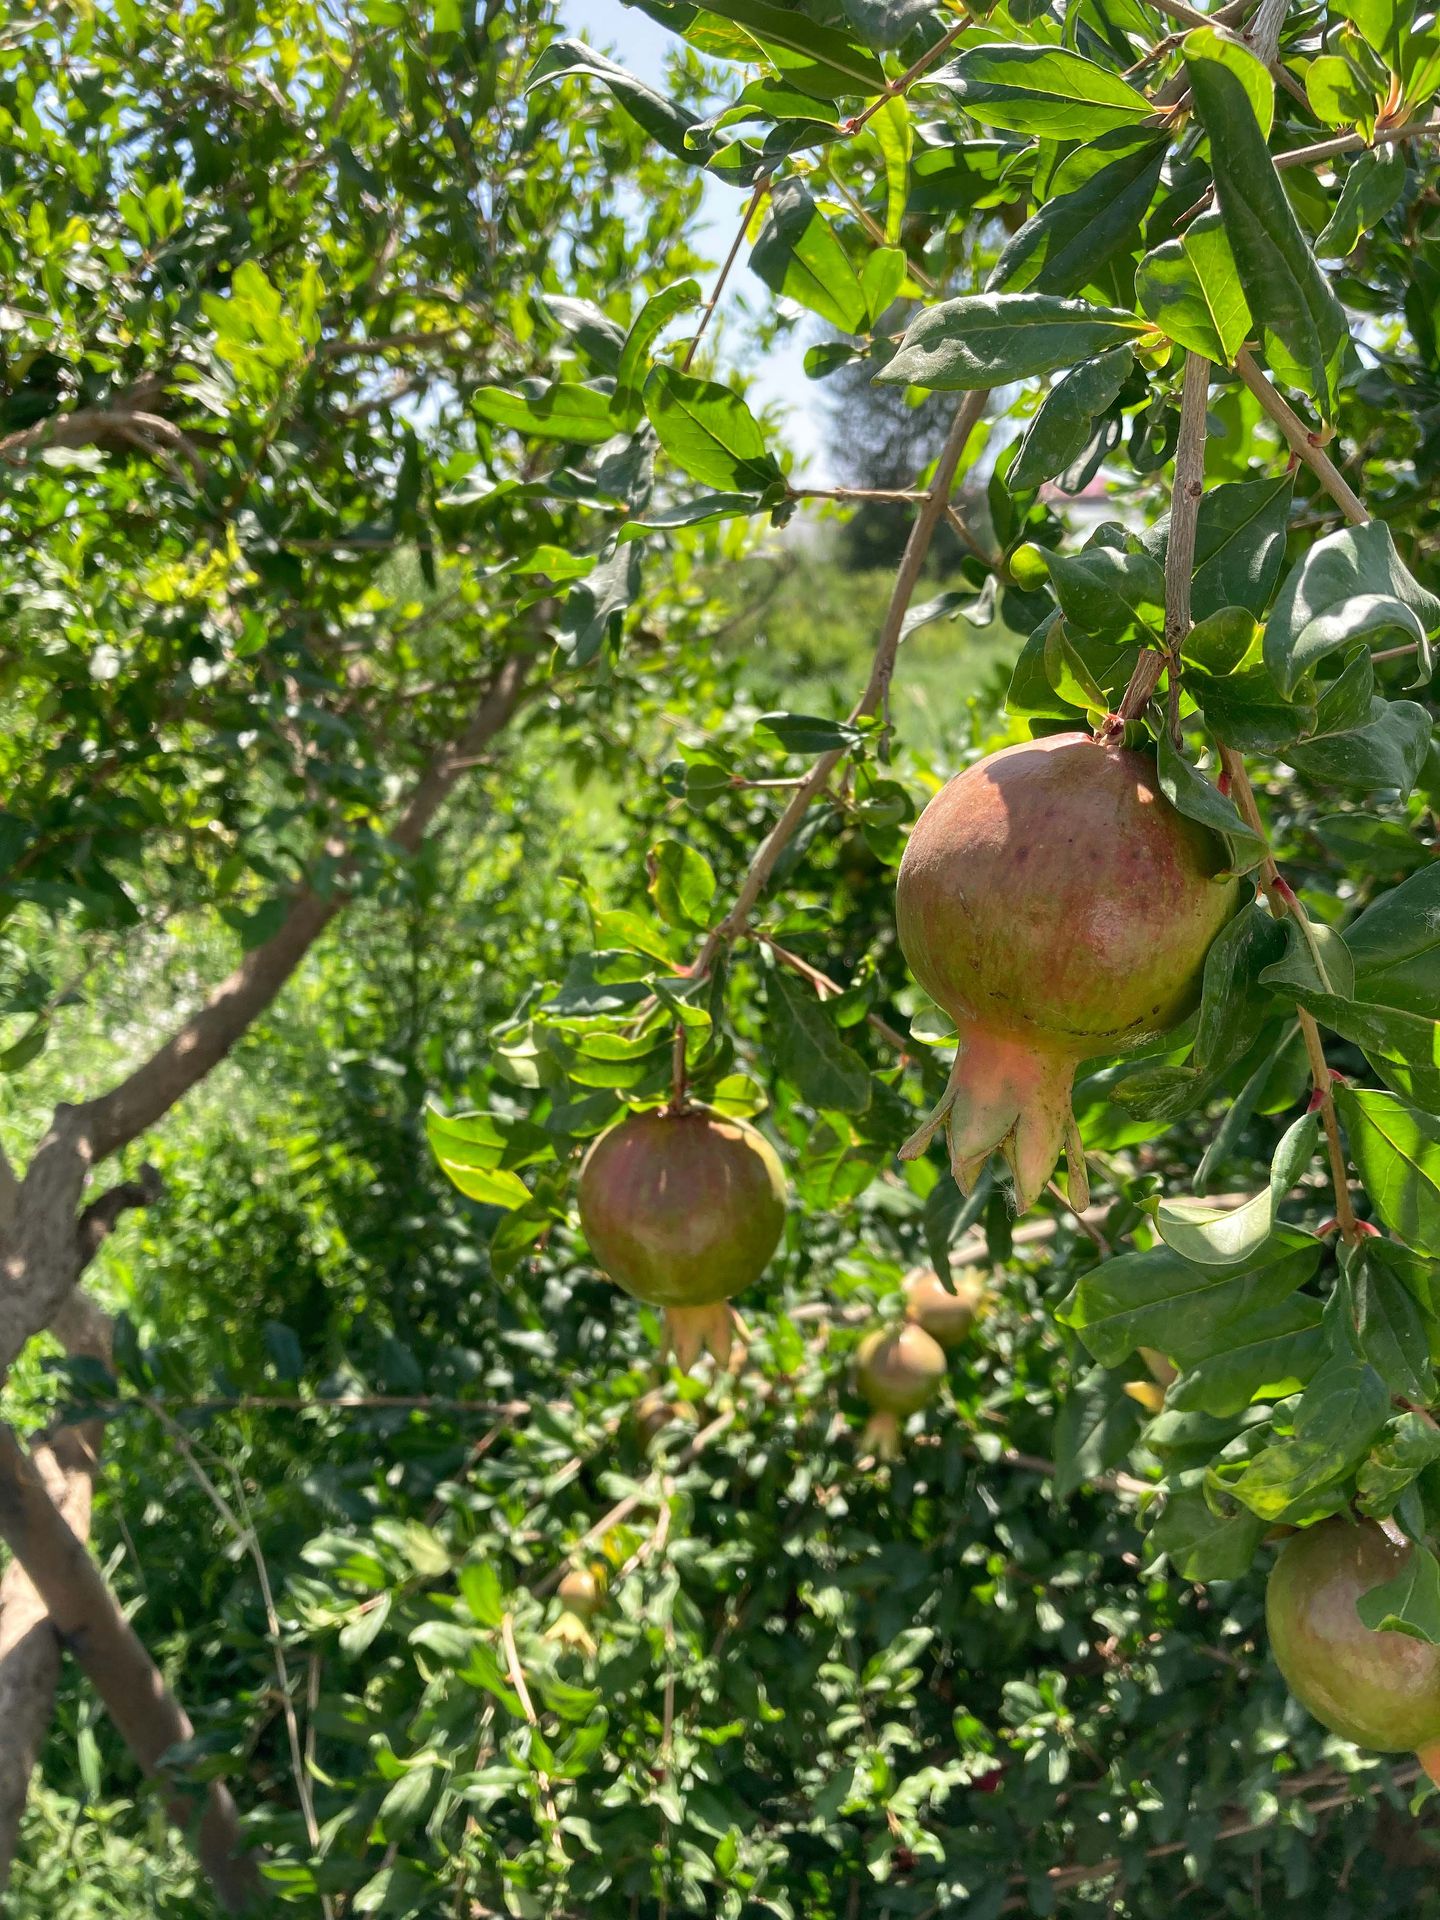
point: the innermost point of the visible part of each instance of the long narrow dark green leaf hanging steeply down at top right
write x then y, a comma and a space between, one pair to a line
1303, 324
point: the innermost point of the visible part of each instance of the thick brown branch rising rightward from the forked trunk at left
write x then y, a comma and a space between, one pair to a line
153, 1090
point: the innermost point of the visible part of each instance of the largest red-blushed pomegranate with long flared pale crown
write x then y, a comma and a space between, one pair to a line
1057, 907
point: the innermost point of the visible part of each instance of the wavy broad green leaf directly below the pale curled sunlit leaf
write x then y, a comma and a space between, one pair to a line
1186, 1310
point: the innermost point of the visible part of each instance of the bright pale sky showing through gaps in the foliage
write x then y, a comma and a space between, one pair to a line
640, 43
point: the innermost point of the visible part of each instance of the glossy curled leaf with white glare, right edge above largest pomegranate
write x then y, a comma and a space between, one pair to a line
1349, 587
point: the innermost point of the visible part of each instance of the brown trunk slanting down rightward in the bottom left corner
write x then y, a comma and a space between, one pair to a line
91, 1625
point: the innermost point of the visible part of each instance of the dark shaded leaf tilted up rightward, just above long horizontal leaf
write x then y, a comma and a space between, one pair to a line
1070, 241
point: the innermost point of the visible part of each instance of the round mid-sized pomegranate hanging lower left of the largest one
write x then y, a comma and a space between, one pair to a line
684, 1211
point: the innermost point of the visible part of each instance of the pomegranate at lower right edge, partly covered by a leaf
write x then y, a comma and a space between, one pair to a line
1376, 1689
